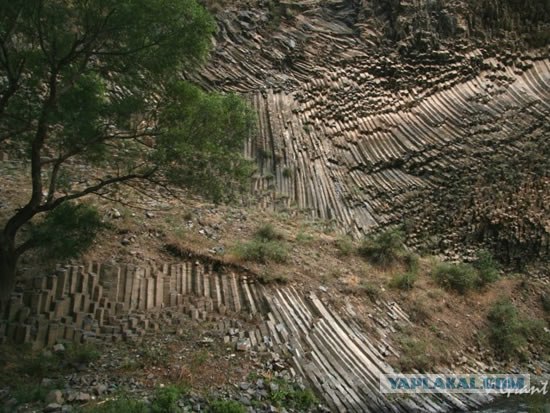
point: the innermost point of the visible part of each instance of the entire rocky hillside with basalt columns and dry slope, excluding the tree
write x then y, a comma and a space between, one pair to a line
428, 115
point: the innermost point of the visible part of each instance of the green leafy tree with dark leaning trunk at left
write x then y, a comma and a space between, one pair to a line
99, 82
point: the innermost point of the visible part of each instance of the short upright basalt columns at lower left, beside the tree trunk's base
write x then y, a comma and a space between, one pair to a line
102, 302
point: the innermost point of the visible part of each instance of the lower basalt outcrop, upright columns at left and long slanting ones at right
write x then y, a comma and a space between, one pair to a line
326, 346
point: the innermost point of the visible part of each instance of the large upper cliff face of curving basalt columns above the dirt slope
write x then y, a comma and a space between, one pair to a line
375, 113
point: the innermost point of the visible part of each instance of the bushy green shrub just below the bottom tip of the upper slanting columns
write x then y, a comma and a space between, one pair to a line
383, 249
